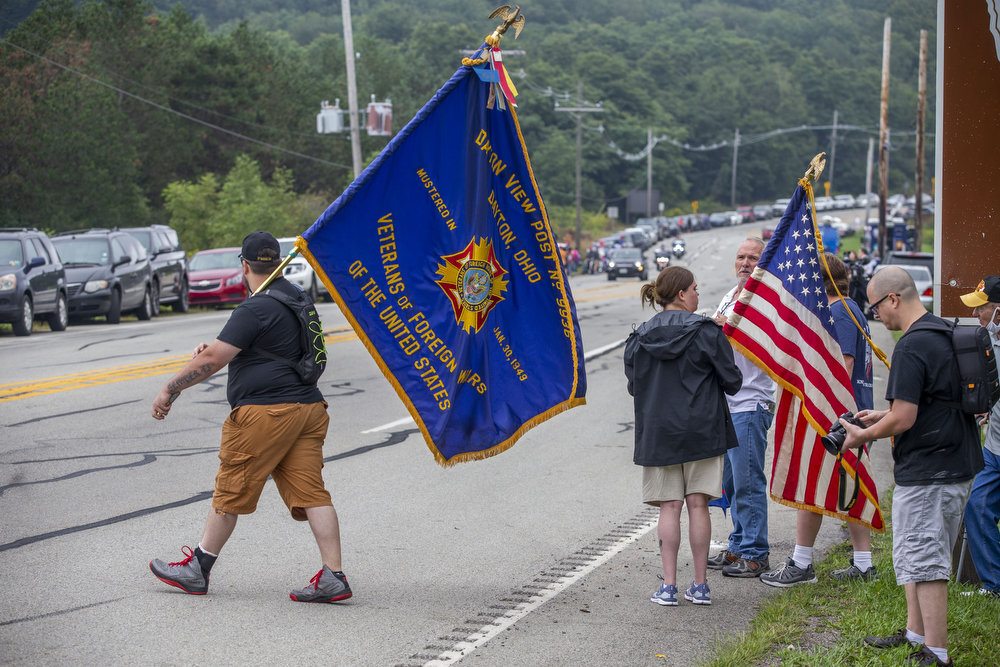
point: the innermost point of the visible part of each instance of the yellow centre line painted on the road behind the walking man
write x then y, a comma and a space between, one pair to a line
18, 390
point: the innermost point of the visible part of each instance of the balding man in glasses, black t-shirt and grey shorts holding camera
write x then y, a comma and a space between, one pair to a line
936, 453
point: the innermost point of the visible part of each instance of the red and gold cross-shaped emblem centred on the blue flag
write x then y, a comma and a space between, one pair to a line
474, 283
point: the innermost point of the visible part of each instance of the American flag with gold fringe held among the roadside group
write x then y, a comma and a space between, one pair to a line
783, 323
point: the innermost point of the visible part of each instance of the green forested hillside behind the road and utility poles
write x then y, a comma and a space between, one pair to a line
76, 153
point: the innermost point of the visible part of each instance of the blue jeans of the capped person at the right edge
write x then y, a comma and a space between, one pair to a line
981, 516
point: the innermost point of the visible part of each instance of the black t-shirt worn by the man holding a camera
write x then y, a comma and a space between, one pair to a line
942, 446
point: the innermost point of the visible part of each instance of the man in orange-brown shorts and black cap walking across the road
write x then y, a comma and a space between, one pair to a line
276, 429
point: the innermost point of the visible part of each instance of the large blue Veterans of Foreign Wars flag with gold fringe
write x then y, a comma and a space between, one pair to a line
441, 256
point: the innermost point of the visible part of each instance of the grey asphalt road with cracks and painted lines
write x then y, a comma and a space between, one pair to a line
539, 556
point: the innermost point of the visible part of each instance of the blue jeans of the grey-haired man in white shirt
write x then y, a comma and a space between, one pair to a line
747, 489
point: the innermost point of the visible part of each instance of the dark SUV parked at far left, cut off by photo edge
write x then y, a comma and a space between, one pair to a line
32, 280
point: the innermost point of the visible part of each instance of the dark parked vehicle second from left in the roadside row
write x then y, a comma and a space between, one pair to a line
107, 272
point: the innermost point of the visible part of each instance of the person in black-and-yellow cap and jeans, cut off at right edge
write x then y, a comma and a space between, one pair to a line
983, 510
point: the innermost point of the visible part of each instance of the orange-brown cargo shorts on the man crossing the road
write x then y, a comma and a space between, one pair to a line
284, 442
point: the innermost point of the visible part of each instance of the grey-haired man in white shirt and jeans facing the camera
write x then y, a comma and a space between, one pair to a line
752, 410
